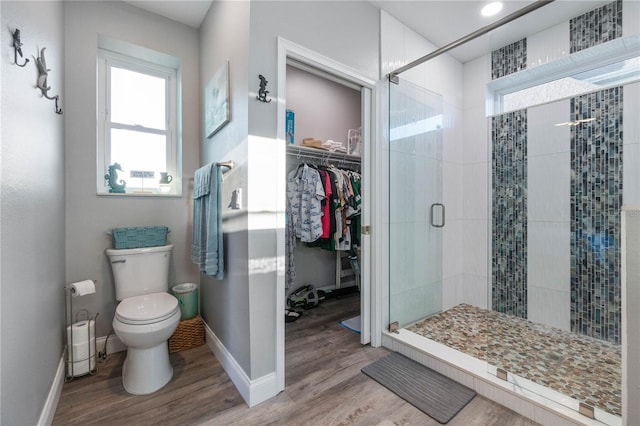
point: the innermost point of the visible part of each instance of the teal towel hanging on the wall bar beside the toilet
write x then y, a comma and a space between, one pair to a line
207, 242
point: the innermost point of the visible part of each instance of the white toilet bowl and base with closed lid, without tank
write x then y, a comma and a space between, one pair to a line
145, 323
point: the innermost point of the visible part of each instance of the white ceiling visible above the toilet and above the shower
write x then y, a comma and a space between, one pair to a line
439, 21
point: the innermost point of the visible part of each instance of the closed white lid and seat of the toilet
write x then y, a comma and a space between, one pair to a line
147, 308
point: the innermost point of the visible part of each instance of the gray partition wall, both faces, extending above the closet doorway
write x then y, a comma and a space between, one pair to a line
240, 310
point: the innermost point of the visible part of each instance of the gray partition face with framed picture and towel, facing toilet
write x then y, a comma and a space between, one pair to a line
224, 36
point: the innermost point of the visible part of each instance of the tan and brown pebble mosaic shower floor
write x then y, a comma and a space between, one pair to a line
586, 369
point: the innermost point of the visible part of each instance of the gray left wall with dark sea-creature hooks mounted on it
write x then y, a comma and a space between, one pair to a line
31, 213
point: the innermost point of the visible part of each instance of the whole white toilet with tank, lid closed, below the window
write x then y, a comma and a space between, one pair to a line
145, 317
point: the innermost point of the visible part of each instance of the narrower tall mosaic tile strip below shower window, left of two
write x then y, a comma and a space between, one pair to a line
509, 218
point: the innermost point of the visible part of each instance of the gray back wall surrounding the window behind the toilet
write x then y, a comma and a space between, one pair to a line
89, 216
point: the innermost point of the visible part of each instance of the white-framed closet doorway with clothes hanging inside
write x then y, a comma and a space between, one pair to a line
331, 107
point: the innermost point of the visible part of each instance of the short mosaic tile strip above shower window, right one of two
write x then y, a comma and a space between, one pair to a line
596, 27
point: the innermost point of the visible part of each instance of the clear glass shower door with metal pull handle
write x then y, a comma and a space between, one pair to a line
416, 212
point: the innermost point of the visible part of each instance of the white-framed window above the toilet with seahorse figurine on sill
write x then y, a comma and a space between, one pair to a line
137, 105
